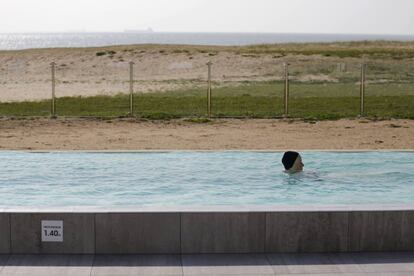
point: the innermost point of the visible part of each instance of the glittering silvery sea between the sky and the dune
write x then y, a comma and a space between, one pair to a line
204, 39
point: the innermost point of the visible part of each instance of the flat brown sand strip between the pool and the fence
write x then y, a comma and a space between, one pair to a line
130, 134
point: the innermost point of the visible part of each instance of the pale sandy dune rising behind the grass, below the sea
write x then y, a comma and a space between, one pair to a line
26, 75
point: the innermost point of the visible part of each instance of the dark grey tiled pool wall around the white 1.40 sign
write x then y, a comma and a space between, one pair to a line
211, 230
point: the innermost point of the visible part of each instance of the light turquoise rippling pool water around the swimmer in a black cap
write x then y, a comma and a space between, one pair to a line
203, 178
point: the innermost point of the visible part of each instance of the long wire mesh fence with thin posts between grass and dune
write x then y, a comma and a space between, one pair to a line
308, 89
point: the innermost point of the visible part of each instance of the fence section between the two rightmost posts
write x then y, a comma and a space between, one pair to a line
324, 90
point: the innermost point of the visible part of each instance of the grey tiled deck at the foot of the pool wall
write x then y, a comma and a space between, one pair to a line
401, 263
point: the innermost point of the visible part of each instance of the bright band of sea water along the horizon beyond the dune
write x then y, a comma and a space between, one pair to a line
19, 41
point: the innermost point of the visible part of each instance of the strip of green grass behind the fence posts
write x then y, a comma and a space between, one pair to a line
312, 100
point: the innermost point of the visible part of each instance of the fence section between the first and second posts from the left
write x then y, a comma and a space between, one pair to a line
93, 90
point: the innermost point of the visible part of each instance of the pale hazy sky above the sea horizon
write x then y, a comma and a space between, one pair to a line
287, 16
